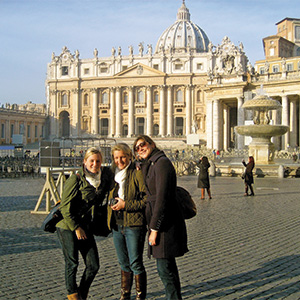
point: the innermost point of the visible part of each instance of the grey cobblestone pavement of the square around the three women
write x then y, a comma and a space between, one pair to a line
240, 247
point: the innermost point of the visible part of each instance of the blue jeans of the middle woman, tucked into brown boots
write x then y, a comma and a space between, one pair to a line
129, 244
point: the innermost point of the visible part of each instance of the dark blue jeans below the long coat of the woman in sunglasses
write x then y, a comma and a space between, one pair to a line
168, 273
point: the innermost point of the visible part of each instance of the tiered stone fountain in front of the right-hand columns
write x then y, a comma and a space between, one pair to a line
261, 131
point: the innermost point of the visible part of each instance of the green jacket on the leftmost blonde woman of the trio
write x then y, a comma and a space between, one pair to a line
78, 198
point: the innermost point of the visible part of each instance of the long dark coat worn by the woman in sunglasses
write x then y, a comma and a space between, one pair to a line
162, 211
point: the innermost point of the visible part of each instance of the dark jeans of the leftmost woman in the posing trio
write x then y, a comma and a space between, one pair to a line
71, 247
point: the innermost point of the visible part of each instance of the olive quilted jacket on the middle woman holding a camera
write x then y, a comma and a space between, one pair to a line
135, 199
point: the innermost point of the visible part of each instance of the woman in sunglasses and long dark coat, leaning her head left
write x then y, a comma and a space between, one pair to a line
166, 226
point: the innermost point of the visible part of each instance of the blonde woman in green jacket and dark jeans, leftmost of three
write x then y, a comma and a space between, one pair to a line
81, 191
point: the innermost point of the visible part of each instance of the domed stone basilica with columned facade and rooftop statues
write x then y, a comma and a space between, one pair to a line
184, 85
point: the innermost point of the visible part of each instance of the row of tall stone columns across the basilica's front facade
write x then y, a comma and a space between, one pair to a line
119, 113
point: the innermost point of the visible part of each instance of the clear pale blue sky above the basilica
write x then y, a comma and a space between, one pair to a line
30, 30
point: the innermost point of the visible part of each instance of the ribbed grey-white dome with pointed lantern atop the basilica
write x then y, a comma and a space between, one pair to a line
183, 35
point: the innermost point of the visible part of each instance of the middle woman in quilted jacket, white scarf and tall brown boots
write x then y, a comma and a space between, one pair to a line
127, 220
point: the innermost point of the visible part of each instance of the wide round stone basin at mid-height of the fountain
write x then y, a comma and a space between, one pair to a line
261, 131
